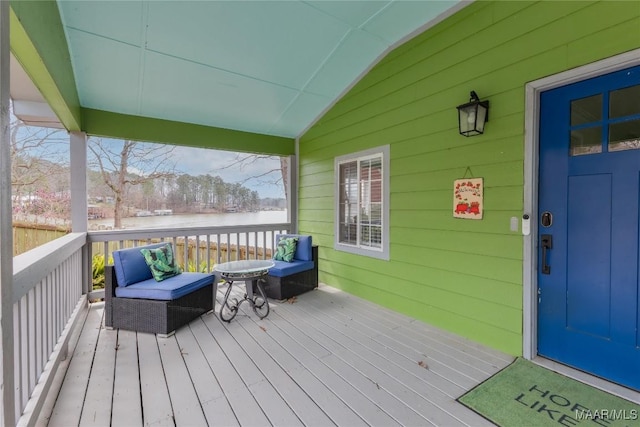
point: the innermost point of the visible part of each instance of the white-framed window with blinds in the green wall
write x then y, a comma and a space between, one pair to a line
362, 203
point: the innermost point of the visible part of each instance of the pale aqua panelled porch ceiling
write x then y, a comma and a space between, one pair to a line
267, 67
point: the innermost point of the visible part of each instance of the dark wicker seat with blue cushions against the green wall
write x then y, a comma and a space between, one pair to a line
288, 279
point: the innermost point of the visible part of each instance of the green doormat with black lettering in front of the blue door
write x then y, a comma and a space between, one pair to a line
525, 394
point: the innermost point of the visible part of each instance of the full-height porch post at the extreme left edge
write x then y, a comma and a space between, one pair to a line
6, 233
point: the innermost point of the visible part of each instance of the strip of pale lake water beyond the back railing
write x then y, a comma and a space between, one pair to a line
195, 220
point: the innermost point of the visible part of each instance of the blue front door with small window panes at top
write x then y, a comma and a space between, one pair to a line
589, 198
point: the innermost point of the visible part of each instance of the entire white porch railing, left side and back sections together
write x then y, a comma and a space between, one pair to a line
51, 285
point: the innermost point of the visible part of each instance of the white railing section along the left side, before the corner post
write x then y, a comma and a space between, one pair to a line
47, 299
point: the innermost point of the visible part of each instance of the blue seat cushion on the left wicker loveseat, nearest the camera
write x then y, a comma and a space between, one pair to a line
167, 290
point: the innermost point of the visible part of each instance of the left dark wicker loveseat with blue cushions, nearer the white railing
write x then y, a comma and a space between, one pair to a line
135, 301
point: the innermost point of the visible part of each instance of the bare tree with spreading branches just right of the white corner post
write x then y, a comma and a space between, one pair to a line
127, 163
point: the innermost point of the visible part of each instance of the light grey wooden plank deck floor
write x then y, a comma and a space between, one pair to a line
327, 359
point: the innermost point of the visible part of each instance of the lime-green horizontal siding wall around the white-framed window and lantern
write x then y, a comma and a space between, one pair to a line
462, 275
